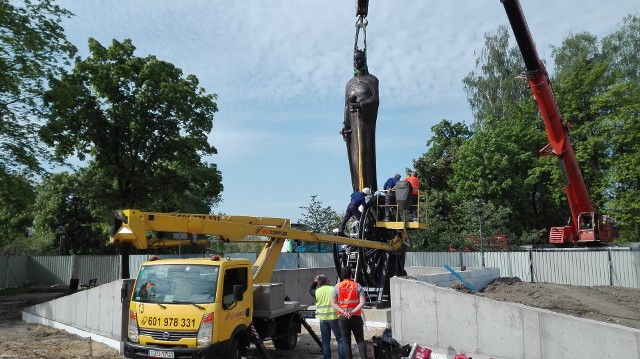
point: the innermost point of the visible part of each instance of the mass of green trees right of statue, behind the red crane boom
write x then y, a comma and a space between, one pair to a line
498, 159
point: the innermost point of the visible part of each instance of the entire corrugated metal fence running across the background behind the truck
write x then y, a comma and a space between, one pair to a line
617, 267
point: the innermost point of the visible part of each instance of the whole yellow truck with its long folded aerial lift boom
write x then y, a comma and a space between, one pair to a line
213, 307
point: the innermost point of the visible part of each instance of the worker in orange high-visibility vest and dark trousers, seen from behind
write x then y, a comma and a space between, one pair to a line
348, 299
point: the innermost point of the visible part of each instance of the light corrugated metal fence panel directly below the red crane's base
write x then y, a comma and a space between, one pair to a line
571, 267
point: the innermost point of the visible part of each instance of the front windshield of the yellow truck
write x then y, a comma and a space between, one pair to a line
176, 283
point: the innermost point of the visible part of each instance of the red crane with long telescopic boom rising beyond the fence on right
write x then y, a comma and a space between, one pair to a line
586, 224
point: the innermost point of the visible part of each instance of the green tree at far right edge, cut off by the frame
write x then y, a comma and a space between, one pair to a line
619, 109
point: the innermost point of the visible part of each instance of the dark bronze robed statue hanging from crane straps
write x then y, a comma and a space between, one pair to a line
359, 131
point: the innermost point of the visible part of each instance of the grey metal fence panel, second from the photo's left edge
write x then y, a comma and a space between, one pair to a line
50, 269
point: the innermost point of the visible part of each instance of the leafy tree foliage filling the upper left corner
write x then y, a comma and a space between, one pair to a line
33, 48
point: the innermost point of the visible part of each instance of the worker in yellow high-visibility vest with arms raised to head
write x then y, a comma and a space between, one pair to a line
326, 314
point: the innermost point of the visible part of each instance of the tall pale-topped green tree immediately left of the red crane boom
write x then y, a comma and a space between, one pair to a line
499, 163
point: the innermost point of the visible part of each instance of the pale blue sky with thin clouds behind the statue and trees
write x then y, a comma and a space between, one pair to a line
280, 68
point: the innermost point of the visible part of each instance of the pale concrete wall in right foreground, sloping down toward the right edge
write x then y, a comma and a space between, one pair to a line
452, 322
